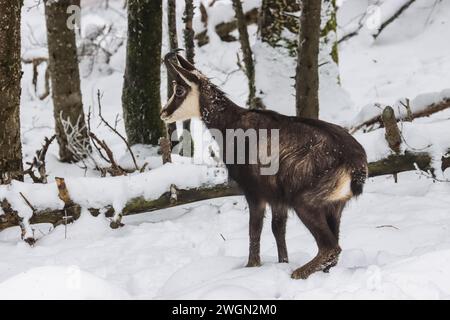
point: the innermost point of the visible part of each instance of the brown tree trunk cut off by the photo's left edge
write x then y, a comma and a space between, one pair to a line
10, 74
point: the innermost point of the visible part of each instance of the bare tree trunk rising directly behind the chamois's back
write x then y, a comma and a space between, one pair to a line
307, 72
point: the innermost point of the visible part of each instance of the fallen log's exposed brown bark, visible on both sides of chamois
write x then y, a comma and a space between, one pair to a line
393, 164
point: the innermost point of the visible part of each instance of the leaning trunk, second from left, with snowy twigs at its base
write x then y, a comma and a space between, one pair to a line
70, 124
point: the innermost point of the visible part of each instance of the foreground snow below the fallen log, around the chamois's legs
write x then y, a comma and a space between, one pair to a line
395, 240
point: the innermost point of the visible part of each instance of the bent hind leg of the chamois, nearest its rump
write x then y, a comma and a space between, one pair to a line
315, 219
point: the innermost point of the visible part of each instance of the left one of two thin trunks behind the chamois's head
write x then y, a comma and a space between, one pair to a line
173, 44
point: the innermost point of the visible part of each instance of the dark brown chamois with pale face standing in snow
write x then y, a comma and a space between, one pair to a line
320, 166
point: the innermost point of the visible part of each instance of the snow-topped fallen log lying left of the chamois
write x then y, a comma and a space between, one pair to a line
62, 201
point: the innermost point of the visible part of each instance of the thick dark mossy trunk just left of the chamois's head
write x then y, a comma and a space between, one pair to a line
141, 100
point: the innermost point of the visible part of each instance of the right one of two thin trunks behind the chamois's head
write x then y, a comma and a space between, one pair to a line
189, 35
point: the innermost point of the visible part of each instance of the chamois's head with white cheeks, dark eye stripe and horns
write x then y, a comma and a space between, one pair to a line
185, 101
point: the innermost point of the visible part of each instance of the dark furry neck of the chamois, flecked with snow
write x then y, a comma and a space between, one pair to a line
217, 110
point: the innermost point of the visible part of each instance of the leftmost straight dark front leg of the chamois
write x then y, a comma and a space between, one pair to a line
257, 208
